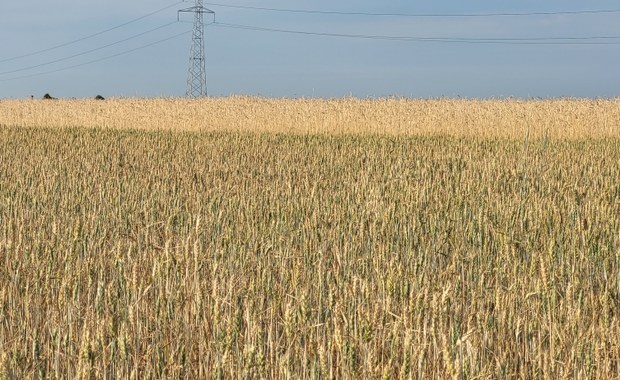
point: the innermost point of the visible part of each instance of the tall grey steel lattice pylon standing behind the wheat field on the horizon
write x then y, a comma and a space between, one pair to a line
197, 72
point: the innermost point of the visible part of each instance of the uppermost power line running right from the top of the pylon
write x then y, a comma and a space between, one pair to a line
516, 14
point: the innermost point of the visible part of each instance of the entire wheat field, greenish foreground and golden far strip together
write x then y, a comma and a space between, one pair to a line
300, 238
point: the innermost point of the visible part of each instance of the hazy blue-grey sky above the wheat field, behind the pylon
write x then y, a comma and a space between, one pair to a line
278, 64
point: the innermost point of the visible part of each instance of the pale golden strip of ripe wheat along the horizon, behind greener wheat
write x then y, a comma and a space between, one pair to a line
560, 118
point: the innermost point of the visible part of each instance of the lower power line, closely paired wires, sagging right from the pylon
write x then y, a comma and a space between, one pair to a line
592, 40
